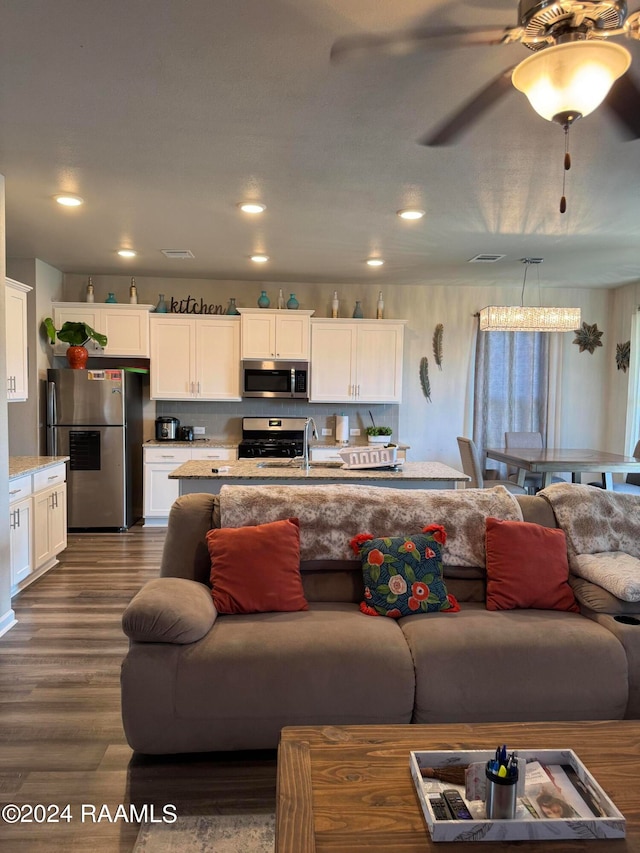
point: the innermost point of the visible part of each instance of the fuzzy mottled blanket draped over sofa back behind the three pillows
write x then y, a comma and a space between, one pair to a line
331, 515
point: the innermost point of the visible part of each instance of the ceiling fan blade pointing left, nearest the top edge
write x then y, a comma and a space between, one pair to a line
410, 41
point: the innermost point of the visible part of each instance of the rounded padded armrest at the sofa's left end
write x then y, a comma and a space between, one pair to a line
169, 610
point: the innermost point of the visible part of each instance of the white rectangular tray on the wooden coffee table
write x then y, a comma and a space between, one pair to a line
612, 826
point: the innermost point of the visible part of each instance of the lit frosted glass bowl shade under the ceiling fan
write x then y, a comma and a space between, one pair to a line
570, 78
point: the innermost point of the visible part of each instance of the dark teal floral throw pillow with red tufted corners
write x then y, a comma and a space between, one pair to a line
403, 574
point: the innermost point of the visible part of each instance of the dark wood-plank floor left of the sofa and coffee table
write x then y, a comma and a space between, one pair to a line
61, 737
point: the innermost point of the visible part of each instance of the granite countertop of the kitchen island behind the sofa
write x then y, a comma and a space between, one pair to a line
274, 470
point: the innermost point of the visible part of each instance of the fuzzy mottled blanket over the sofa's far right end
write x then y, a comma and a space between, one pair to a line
602, 529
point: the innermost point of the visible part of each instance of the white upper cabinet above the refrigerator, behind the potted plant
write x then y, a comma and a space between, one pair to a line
126, 326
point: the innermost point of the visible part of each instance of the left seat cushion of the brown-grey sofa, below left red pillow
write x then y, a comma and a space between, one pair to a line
327, 665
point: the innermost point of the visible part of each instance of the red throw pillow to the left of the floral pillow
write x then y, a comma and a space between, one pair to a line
256, 569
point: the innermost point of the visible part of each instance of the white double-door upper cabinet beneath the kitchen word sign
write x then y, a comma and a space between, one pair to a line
195, 358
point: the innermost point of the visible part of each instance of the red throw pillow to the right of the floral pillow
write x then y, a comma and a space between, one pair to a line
527, 566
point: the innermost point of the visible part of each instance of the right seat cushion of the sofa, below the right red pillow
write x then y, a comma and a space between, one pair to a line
482, 665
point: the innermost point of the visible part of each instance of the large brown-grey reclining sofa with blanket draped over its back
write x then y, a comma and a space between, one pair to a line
195, 680
